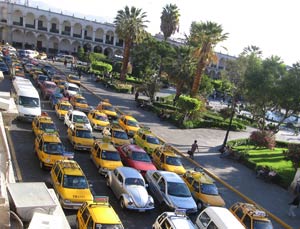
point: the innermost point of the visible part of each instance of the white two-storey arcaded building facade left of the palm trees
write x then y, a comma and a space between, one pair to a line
27, 27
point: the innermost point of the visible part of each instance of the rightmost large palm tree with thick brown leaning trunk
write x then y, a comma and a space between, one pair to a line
204, 37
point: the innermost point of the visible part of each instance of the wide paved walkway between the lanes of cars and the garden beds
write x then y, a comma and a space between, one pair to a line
272, 197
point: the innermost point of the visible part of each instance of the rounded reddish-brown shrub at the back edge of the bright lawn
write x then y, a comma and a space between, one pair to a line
263, 139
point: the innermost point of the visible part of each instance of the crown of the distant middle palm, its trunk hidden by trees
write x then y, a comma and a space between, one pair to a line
169, 20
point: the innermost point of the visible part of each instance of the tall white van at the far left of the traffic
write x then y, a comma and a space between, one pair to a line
27, 99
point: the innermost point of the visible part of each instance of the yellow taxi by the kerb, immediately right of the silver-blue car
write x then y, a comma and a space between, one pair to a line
203, 189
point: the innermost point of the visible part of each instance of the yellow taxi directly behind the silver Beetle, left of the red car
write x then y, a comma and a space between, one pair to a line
105, 156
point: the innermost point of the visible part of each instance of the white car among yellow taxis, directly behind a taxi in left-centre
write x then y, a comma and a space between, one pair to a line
74, 116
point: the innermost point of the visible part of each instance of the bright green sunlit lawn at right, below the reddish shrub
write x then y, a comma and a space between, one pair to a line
272, 158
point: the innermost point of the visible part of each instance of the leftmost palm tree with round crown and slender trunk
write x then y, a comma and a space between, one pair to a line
130, 26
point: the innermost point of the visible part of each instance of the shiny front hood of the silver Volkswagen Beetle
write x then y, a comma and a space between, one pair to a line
139, 194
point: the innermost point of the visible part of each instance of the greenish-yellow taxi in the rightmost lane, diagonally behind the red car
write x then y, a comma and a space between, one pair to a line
147, 140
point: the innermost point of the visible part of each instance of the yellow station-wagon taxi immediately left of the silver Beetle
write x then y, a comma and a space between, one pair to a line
70, 184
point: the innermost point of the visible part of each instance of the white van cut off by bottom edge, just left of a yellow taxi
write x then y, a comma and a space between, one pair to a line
217, 218
